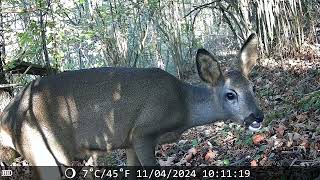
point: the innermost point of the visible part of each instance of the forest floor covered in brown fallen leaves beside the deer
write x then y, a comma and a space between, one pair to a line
289, 94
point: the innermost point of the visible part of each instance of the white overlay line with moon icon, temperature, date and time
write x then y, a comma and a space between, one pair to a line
70, 173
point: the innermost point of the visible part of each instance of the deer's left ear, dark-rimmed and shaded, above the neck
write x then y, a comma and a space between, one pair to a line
208, 68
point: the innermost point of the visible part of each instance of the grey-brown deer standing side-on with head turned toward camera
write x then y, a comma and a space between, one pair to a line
58, 118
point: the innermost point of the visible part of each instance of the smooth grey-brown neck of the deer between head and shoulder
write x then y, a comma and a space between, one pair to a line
203, 106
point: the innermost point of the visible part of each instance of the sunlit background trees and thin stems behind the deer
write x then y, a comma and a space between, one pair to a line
77, 34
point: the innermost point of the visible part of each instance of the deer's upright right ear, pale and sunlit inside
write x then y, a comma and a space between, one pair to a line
248, 54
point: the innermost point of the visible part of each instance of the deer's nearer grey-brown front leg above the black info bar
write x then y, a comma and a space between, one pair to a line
144, 149
